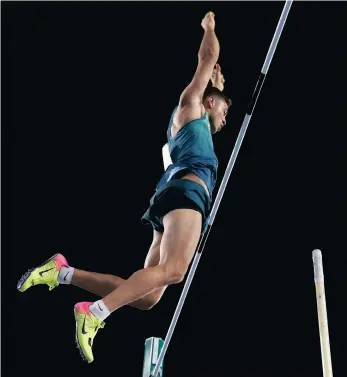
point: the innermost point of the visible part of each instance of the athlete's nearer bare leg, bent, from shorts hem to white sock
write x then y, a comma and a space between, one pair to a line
178, 244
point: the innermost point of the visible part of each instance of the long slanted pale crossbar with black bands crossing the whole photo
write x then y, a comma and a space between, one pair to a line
242, 132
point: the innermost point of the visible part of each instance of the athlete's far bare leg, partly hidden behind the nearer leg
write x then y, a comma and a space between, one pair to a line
103, 284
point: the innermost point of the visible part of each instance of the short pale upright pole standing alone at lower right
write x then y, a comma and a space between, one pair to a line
322, 313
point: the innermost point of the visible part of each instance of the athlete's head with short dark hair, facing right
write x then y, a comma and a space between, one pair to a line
216, 104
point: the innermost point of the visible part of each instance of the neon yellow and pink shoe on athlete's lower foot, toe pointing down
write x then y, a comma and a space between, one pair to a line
87, 326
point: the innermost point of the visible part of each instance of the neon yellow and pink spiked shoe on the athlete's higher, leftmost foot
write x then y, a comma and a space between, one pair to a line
46, 273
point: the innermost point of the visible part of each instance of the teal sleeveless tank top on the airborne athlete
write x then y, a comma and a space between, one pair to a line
191, 150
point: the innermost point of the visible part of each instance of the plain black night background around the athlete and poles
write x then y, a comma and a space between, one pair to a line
87, 93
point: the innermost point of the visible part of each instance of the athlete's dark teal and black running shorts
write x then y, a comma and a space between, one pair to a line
175, 194
